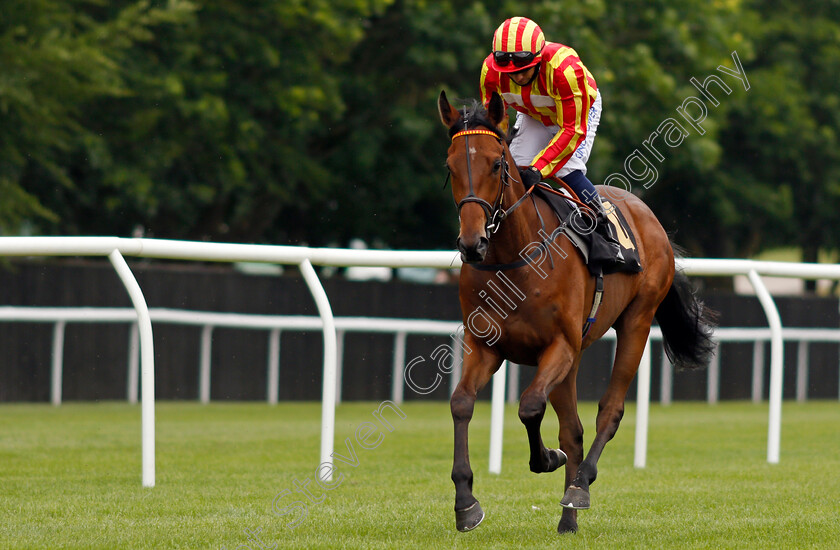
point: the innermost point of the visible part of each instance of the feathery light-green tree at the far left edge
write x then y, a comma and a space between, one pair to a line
60, 58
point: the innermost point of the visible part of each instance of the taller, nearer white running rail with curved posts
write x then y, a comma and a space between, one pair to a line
115, 248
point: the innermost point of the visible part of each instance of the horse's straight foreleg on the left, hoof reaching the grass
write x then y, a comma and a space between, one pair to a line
477, 370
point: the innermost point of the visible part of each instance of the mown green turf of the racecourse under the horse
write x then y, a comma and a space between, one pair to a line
70, 478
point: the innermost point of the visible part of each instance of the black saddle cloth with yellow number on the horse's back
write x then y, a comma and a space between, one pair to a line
600, 255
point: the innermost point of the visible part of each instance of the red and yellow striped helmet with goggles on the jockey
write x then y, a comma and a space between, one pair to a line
514, 40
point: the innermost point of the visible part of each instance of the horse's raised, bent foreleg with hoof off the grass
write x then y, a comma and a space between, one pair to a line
553, 368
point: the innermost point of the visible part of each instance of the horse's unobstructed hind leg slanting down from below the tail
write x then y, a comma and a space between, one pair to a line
632, 336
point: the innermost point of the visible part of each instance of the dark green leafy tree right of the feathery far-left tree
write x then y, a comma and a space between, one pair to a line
209, 136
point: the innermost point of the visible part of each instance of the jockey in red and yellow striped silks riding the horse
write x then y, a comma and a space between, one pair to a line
558, 108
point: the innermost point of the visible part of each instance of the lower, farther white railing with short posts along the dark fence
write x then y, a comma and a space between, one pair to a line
59, 317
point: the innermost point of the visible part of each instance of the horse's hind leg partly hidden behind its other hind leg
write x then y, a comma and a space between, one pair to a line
564, 400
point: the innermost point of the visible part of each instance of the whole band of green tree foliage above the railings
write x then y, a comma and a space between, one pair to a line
315, 122
